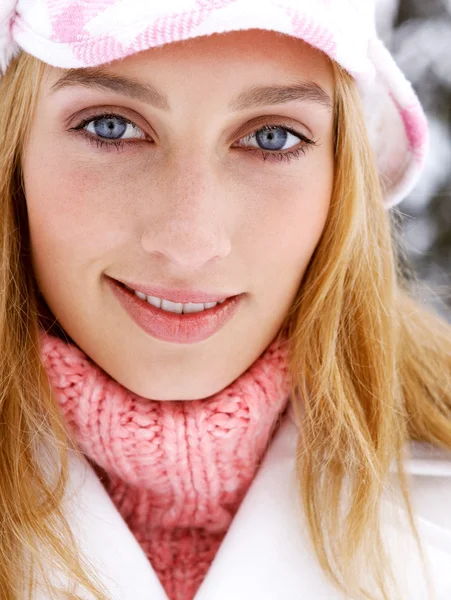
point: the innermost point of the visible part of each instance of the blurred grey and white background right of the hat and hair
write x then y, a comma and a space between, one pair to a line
418, 33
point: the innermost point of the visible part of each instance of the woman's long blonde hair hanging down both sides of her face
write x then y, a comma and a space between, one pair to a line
370, 369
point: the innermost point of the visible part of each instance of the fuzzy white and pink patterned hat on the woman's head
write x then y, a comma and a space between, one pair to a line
82, 33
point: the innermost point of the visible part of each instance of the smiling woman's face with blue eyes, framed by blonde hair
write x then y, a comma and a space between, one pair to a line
210, 176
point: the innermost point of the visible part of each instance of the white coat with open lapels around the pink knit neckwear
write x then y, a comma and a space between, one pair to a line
265, 554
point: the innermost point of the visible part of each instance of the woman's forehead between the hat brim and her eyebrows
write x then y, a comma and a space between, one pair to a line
253, 56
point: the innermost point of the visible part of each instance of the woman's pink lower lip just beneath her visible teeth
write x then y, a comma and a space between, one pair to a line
171, 327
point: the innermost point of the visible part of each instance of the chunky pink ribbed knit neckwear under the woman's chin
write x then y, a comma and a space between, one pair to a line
177, 471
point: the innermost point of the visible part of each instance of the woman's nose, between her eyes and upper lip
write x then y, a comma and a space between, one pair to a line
188, 225
